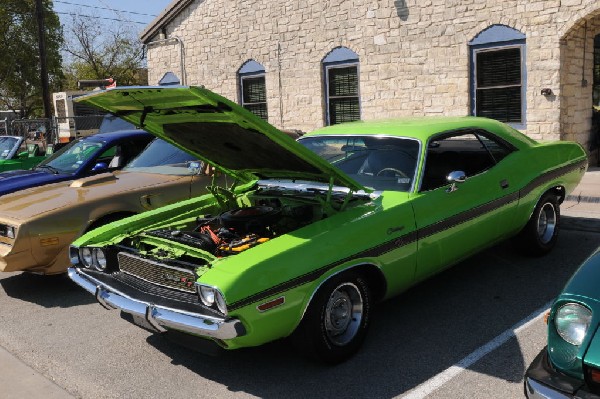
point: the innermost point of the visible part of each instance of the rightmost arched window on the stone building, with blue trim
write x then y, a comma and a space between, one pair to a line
498, 75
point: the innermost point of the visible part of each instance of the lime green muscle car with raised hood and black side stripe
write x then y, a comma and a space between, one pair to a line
313, 233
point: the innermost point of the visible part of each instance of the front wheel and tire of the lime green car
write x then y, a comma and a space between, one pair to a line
336, 321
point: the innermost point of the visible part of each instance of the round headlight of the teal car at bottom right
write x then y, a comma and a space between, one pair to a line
572, 321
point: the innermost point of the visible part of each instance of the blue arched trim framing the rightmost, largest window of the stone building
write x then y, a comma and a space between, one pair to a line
503, 38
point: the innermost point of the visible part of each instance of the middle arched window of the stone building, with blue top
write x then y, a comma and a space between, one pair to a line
341, 86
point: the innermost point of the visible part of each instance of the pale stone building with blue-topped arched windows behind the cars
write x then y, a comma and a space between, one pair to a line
303, 65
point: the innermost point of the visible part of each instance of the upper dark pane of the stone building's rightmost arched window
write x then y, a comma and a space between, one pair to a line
499, 68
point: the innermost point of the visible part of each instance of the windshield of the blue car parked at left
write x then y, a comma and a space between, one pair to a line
71, 157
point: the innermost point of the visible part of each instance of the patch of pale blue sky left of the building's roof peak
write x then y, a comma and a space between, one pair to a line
137, 13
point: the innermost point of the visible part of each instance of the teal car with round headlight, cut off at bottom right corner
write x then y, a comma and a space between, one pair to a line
569, 366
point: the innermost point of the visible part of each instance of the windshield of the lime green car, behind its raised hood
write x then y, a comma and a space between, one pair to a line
377, 162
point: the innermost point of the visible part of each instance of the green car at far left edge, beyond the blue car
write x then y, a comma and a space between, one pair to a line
15, 153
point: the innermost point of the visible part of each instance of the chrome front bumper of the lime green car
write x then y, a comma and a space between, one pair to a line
158, 318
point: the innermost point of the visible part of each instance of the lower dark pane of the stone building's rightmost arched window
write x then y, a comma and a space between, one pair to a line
502, 104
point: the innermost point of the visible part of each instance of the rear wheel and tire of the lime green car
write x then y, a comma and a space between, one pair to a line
539, 235
